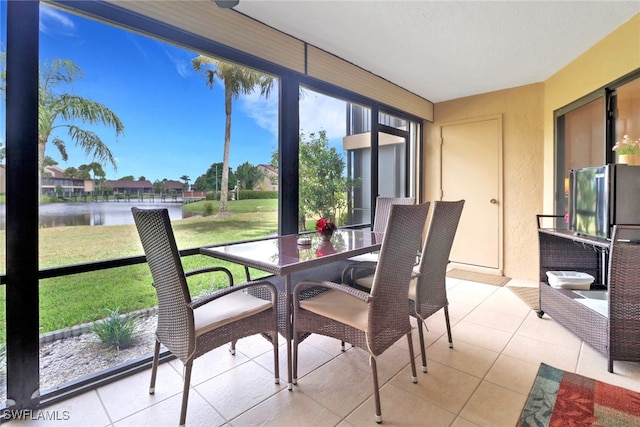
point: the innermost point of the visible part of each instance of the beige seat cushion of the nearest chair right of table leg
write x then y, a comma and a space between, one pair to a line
339, 306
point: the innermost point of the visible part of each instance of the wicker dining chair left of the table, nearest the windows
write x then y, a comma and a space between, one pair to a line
187, 328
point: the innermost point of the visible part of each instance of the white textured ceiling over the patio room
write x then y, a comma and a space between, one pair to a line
443, 50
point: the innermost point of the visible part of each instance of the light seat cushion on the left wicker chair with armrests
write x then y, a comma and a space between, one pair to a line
227, 309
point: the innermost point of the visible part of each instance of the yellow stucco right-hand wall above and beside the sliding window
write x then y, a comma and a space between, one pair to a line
613, 57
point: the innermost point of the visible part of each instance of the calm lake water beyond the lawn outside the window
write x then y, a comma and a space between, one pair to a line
95, 213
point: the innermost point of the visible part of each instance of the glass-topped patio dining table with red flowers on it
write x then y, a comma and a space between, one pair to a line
284, 256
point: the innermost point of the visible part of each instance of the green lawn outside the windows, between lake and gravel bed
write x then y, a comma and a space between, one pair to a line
82, 298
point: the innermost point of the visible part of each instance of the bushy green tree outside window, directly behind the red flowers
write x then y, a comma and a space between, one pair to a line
323, 187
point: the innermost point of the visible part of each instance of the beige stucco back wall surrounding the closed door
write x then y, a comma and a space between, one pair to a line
522, 127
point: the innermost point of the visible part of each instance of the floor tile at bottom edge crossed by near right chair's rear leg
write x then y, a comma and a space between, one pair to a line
400, 409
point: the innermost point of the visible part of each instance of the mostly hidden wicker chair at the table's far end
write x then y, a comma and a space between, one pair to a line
368, 261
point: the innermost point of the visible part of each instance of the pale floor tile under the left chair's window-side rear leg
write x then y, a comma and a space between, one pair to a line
131, 394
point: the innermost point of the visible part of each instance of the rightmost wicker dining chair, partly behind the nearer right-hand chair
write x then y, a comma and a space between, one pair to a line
428, 290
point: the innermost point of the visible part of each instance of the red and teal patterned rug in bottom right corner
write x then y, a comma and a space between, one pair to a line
560, 398
